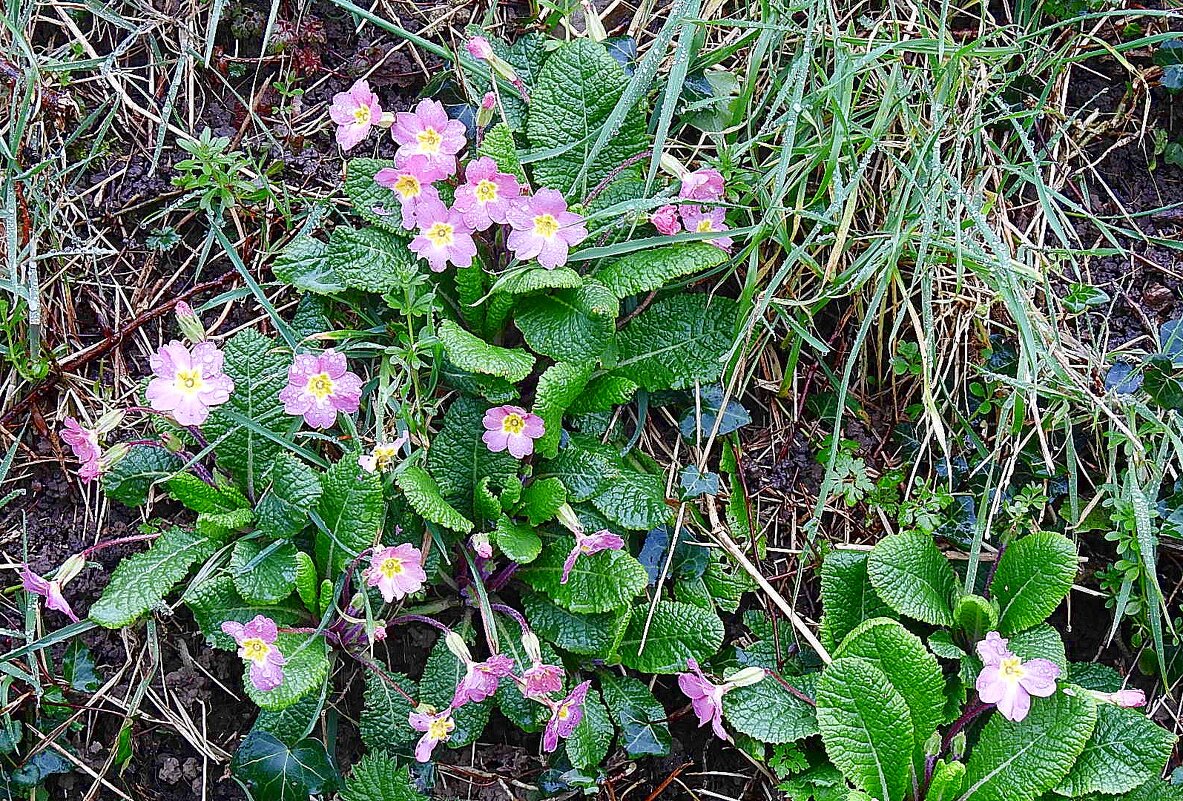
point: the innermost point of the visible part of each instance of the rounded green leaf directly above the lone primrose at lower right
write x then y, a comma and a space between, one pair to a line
1033, 577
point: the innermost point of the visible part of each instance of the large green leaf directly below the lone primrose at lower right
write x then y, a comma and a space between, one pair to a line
1019, 761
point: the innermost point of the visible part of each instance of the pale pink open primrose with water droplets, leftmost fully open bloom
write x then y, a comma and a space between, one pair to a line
189, 383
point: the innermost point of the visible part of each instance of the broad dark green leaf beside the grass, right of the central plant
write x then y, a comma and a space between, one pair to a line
677, 341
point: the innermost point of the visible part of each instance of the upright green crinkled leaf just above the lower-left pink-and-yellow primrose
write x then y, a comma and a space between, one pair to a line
351, 508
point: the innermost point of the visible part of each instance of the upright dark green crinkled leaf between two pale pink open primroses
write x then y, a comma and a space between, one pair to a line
260, 373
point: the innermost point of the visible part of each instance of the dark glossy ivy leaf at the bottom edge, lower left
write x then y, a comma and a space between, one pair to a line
276, 772
